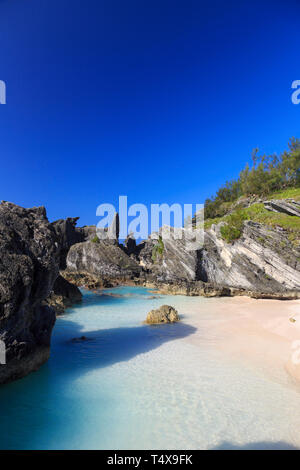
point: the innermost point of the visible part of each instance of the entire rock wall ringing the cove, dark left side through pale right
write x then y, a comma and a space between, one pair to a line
262, 260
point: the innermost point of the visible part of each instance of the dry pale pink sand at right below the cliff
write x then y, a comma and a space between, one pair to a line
257, 331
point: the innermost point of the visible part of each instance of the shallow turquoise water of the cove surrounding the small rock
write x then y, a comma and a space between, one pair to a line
133, 386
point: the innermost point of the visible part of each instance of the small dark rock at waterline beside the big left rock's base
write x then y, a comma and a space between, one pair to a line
63, 295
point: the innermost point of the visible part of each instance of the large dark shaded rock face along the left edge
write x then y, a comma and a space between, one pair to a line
29, 266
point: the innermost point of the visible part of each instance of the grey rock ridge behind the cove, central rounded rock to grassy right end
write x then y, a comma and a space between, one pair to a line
263, 260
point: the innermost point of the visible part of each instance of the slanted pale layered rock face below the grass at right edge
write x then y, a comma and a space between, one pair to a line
263, 260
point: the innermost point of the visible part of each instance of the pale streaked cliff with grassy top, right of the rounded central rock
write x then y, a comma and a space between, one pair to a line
263, 260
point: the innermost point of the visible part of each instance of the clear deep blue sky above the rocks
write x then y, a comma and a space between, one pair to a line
159, 100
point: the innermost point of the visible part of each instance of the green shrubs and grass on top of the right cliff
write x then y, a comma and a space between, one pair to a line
270, 177
